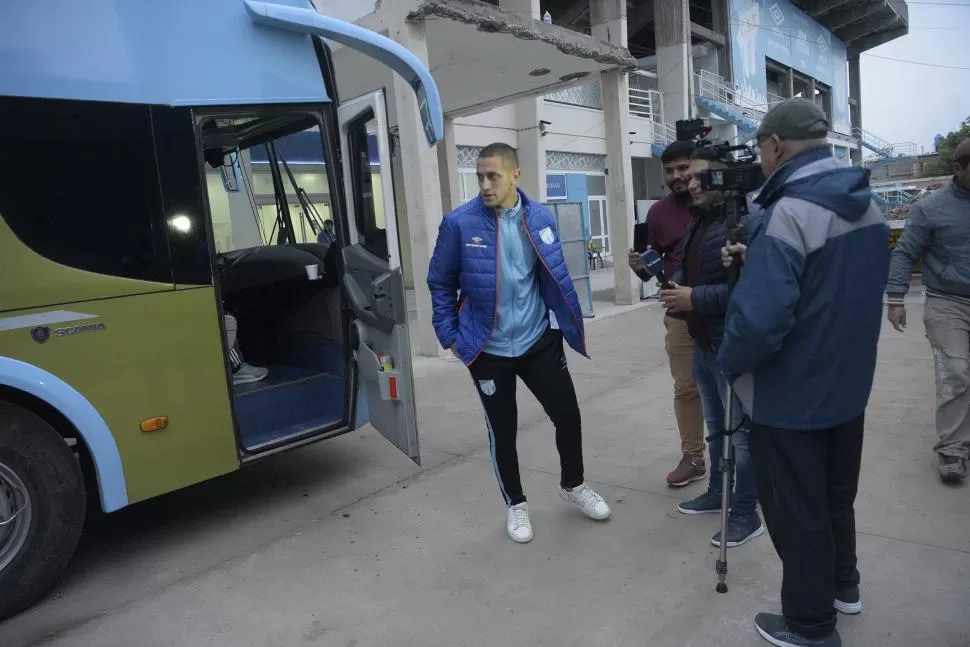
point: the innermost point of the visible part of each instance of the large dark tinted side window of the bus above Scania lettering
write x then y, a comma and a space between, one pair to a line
81, 185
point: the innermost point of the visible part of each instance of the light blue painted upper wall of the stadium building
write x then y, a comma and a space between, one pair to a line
784, 33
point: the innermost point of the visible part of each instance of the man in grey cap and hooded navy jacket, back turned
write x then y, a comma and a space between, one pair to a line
801, 336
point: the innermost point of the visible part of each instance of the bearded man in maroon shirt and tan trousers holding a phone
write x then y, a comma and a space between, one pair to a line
667, 221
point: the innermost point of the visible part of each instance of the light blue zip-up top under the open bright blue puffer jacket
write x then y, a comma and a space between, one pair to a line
522, 316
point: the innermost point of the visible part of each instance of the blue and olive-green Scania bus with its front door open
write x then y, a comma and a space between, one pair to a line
199, 256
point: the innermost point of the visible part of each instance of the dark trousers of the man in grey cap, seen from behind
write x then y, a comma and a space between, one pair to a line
807, 483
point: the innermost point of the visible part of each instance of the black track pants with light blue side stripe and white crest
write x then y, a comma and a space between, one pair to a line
543, 370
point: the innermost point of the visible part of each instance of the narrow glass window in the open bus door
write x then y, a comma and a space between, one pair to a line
368, 192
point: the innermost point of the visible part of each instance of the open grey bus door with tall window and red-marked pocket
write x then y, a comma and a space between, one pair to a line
373, 283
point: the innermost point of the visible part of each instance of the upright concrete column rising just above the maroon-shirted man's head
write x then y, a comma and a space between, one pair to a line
675, 65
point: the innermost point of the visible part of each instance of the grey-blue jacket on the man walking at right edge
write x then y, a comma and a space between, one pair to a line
937, 231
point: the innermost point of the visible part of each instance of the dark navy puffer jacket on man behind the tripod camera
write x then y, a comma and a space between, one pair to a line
709, 294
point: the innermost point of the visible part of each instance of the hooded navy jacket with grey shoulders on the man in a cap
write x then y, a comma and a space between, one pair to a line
803, 322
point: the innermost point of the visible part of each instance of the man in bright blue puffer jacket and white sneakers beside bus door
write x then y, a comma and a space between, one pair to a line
503, 303
